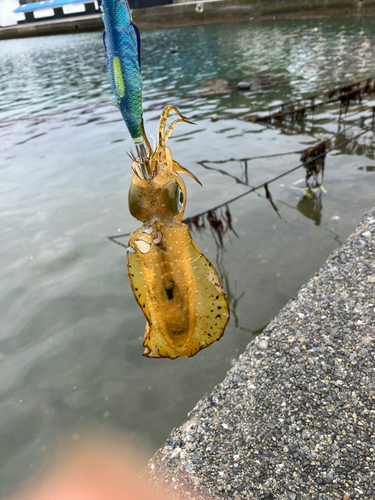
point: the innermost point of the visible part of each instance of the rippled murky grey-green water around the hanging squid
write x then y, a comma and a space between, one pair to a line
71, 336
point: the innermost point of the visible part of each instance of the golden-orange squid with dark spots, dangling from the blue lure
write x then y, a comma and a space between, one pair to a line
177, 288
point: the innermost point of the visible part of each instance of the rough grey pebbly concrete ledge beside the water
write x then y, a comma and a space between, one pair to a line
295, 417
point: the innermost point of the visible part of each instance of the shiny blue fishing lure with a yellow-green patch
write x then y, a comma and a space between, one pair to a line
122, 43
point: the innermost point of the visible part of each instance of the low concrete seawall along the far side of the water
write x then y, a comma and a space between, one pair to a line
182, 13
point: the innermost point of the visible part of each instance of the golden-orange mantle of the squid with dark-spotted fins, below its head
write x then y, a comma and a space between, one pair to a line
177, 288
